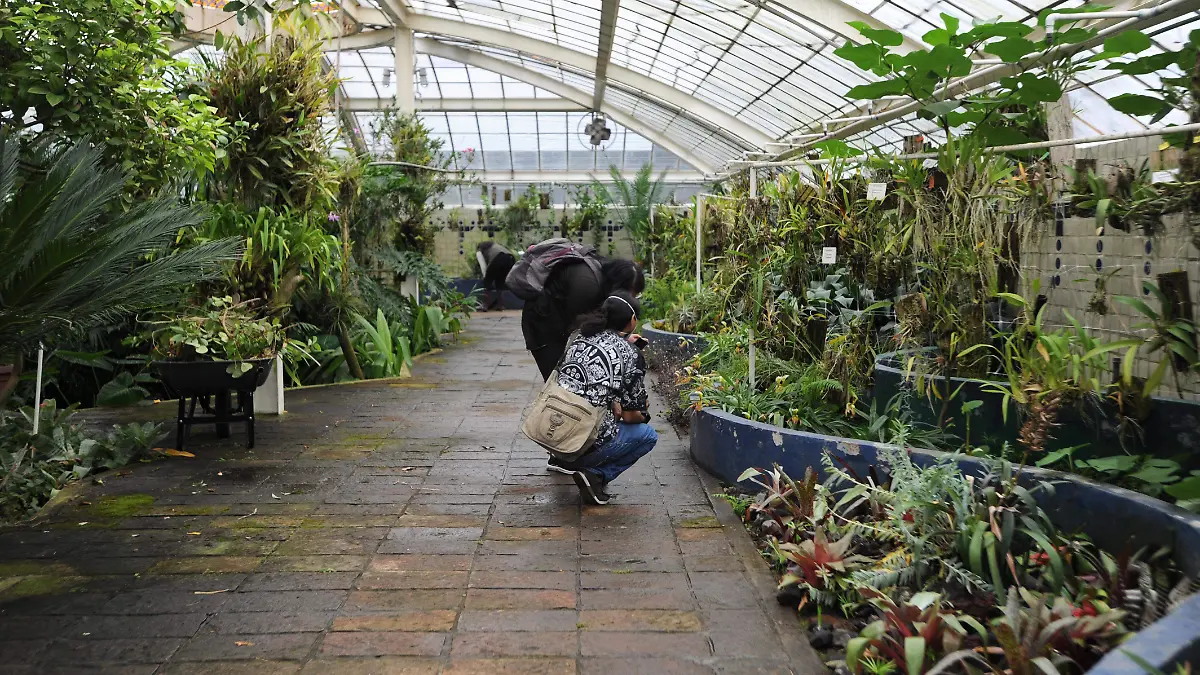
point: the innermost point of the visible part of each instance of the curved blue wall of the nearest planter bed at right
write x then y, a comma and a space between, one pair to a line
1115, 518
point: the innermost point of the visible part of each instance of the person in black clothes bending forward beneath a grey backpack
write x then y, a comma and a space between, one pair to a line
573, 291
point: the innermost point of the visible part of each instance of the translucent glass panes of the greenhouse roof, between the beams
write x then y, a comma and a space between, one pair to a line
763, 62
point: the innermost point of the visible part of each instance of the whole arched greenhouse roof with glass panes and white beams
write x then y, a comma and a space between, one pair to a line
687, 86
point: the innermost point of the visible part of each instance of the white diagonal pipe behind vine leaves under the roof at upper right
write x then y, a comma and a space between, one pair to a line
968, 83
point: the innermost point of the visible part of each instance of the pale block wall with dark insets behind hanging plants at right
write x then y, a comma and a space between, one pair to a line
1081, 267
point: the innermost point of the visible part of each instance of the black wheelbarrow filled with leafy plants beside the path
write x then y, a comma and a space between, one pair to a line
207, 356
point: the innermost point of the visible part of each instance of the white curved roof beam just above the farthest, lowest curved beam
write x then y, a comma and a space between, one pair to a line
688, 105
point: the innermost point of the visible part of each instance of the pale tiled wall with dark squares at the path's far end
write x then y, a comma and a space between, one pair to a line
461, 230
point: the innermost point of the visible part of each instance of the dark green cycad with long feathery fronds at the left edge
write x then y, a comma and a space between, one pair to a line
74, 261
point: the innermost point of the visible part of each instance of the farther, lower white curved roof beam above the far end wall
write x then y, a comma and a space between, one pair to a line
470, 57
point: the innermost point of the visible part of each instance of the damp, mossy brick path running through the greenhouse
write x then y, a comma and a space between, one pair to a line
393, 528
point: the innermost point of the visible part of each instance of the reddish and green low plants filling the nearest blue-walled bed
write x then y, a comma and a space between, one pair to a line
922, 570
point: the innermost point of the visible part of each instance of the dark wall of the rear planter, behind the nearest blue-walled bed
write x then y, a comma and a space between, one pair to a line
1172, 428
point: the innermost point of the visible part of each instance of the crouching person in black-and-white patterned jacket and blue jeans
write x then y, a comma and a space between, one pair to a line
604, 367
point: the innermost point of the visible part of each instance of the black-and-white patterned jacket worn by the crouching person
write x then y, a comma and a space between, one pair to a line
604, 369
